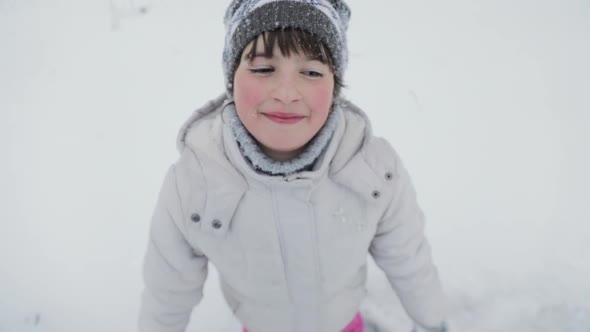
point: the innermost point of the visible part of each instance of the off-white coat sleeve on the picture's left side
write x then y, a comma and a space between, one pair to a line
174, 272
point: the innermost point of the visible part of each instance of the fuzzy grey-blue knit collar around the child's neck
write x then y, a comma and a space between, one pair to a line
262, 163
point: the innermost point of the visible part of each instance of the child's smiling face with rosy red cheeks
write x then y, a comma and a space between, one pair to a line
282, 101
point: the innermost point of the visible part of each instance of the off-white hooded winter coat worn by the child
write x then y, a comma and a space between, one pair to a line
291, 251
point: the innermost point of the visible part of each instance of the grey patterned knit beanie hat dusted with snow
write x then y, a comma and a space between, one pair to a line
246, 19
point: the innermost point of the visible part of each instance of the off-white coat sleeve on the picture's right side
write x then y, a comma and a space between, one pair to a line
401, 250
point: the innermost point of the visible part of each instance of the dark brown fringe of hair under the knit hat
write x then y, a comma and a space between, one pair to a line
292, 40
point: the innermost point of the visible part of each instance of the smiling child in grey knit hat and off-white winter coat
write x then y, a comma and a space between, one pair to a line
282, 186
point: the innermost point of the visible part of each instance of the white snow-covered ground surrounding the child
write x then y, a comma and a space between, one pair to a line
486, 101
